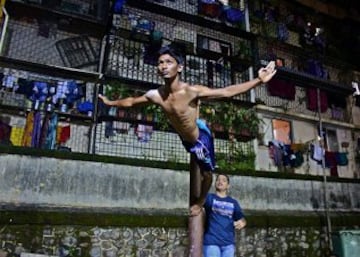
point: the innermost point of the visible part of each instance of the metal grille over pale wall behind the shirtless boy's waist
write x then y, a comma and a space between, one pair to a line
136, 140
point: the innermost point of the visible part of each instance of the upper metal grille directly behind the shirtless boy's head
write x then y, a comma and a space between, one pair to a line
132, 53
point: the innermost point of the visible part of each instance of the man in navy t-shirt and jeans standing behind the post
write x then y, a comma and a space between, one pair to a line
223, 216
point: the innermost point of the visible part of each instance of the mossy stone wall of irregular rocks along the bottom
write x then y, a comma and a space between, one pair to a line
76, 241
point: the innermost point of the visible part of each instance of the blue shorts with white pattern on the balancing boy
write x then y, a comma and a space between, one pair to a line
203, 149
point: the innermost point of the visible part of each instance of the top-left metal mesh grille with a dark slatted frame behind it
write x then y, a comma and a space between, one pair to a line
36, 42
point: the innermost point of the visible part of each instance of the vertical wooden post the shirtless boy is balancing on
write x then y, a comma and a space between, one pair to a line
196, 223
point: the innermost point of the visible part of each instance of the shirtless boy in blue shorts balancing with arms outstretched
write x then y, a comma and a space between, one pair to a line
180, 102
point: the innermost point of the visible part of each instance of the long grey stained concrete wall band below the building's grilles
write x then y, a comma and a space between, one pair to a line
50, 182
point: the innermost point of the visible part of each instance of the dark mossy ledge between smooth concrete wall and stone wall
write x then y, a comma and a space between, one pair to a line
141, 219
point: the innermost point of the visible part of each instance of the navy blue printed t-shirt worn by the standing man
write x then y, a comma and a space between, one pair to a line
220, 216
